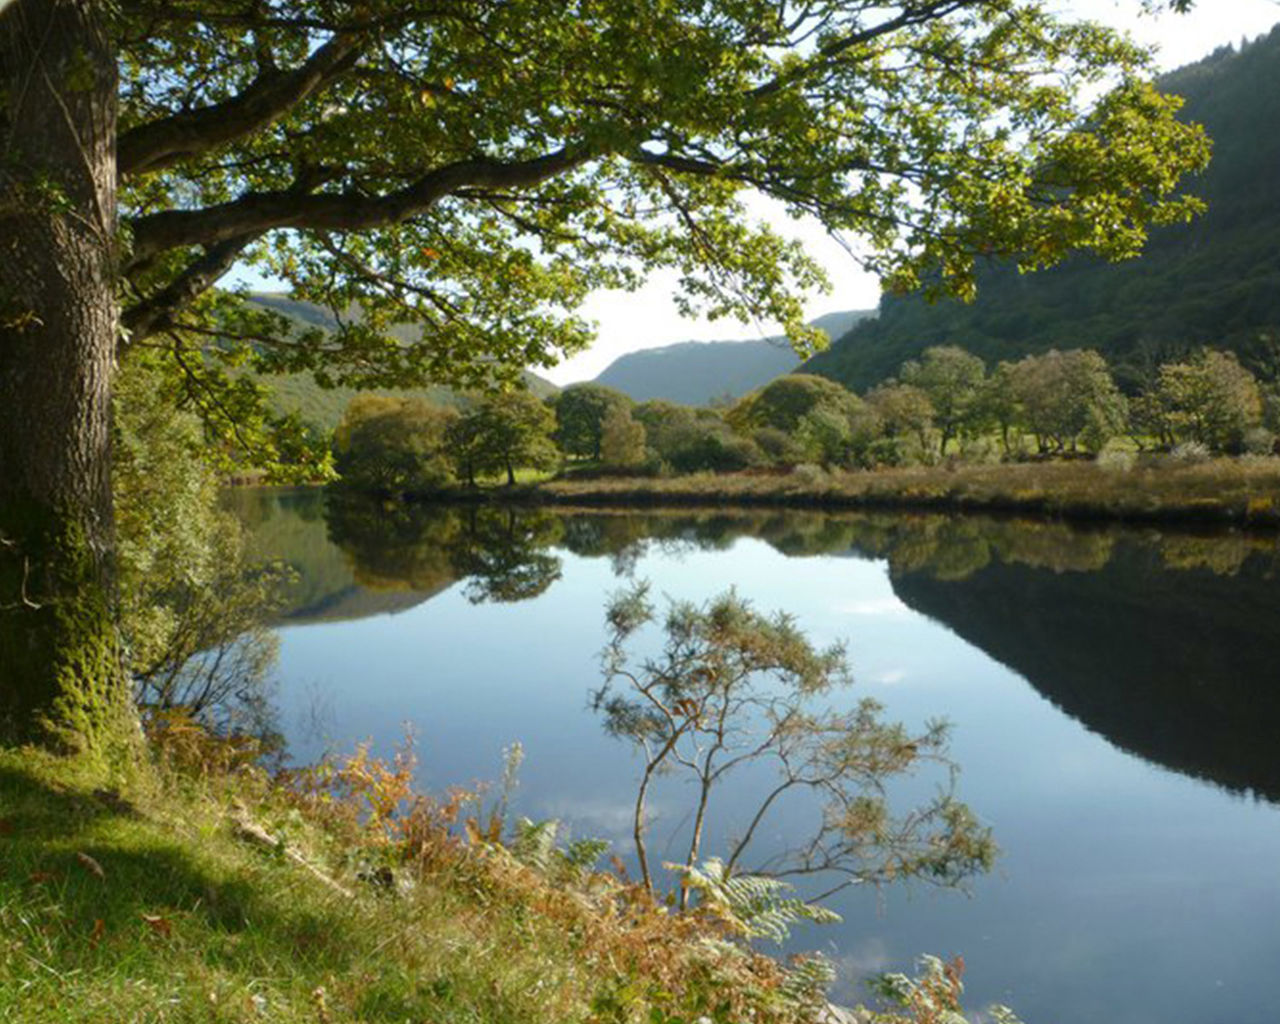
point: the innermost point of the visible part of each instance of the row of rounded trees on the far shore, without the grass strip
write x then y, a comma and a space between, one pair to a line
945, 405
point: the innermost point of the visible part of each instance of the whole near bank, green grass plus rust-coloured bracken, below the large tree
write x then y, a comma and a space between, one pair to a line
199, 890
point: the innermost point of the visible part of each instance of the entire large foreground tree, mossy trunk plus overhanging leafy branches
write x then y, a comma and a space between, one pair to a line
474, 171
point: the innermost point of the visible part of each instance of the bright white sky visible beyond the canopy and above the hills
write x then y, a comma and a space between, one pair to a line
644, 319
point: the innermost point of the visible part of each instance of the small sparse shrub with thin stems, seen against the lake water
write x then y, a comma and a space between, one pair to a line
730, 689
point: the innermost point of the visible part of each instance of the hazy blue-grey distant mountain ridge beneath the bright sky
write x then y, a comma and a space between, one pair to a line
700, 373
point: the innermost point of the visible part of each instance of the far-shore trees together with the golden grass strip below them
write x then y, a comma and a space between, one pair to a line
1049, 436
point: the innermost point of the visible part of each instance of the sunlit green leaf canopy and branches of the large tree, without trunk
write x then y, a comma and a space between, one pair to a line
474, 170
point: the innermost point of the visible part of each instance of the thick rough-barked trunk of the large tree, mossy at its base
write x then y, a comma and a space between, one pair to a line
62, 680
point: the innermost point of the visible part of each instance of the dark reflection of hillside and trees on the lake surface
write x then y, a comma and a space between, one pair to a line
1164, 643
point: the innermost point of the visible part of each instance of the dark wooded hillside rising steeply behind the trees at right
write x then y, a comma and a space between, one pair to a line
1213, 282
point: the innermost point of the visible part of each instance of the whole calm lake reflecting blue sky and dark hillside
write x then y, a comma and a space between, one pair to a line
1114, 696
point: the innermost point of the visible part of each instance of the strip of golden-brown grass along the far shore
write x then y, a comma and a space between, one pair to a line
1226, 491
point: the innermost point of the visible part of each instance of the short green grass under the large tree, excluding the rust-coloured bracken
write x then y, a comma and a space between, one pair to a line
190, 924
